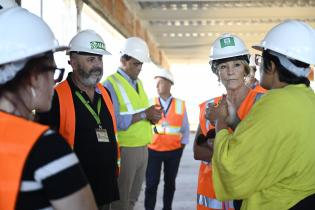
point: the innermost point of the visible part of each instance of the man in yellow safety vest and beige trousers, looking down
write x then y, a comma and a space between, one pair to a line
134, 118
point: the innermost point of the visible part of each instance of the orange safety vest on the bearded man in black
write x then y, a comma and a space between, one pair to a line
67, 113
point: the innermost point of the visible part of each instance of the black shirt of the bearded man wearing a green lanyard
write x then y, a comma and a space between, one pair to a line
98, 159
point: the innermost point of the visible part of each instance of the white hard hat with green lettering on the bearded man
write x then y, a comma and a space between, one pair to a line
88, 41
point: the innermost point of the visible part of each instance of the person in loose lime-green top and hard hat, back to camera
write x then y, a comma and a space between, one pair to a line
269, 160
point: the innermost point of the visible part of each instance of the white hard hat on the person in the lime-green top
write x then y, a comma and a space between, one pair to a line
292, 38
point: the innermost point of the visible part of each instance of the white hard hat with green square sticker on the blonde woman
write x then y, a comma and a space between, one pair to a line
227, 46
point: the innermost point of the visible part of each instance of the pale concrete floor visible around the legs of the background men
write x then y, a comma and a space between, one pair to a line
186, 183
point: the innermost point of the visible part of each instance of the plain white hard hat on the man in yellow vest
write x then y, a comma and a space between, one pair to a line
136, 48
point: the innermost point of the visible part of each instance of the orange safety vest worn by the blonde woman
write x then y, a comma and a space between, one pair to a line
205, 191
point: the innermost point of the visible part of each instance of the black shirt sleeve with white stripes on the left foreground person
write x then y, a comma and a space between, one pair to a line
51, 171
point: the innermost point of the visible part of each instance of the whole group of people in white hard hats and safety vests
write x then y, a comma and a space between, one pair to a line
91, 145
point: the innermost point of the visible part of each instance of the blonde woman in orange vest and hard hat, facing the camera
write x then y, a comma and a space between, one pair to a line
229, 59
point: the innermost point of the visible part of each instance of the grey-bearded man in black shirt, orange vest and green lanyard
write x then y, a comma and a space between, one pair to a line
83, 113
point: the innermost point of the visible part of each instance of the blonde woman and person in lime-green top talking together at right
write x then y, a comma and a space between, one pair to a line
256, 143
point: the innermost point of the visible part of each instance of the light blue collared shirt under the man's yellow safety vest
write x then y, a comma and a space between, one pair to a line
123, 121
